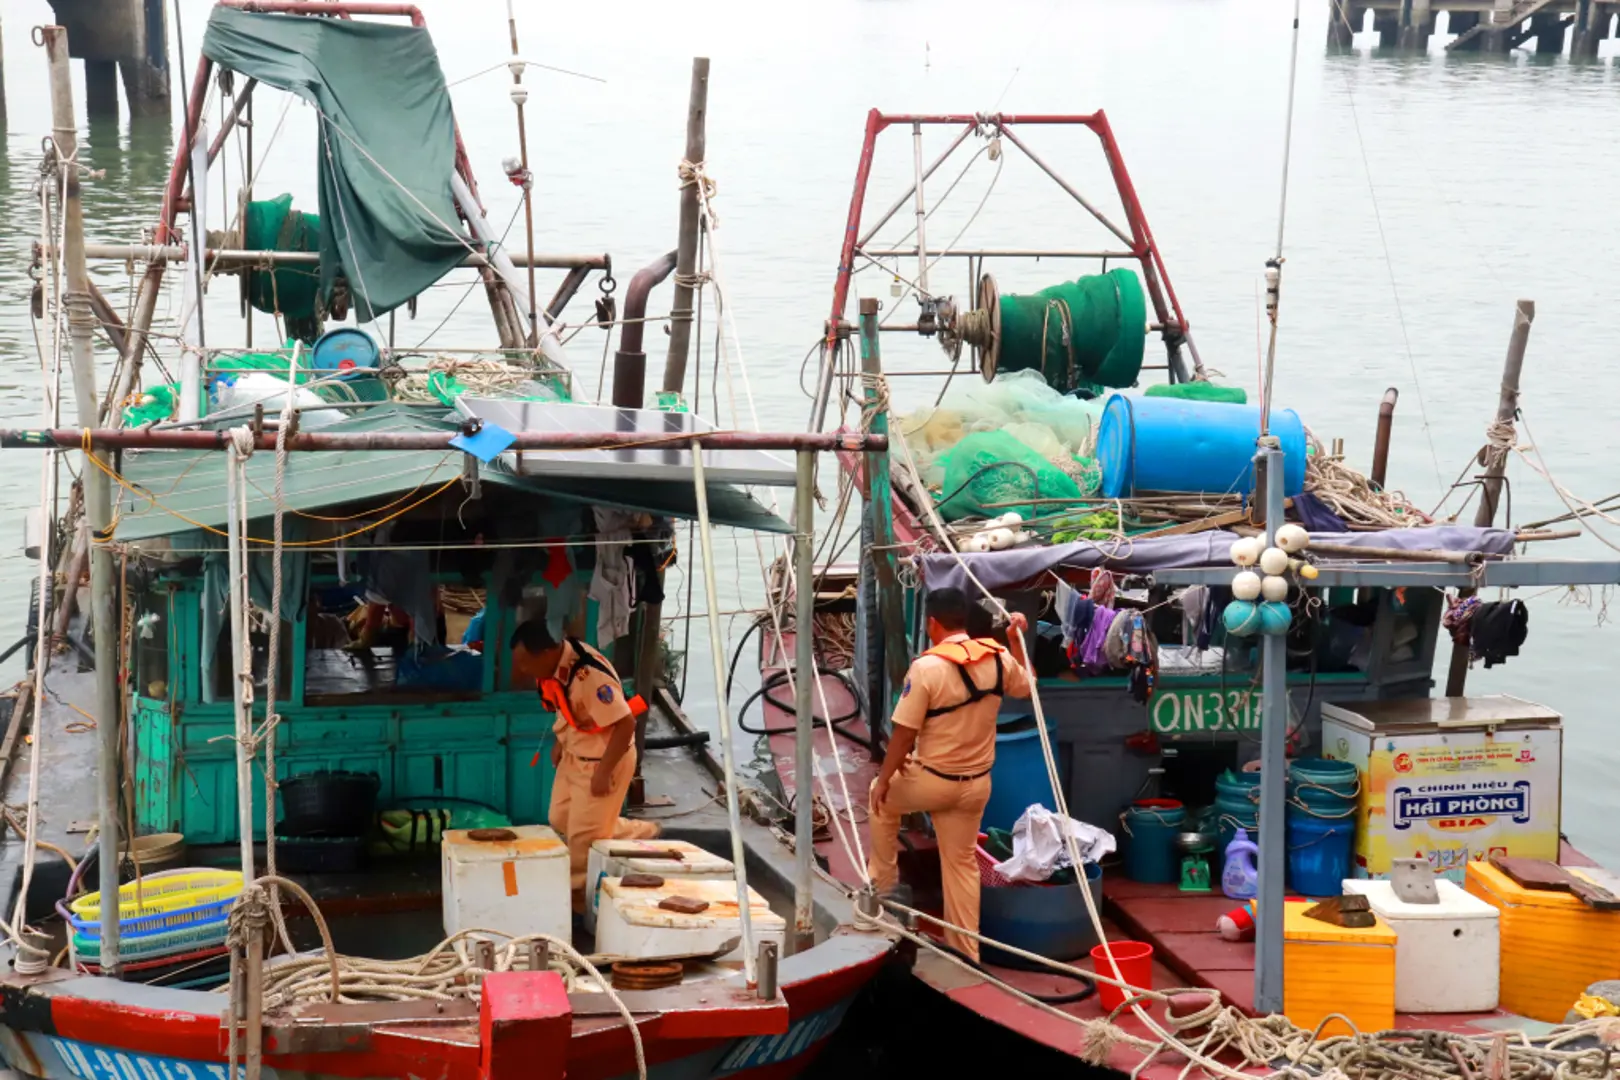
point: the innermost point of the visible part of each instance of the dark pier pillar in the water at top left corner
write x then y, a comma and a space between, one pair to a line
117, 40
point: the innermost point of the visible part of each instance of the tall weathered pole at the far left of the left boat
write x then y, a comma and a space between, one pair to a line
98, 495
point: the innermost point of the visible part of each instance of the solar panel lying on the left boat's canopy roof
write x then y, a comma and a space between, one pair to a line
665, 462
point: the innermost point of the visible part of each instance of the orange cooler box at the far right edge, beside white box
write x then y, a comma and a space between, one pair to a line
1553, 945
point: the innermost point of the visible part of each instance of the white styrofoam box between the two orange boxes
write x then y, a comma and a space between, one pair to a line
1447, 955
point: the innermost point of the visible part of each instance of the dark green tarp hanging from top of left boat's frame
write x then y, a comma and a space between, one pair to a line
388, 143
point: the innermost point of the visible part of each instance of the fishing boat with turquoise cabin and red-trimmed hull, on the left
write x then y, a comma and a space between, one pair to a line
301, 729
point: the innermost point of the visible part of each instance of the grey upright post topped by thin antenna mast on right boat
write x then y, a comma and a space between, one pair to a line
1274, 652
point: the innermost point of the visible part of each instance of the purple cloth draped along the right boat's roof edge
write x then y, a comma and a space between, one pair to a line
1002, 569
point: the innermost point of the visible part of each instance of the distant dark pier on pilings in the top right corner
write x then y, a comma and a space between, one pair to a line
1478, 25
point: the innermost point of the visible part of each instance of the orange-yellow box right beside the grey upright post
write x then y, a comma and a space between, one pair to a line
1337, 969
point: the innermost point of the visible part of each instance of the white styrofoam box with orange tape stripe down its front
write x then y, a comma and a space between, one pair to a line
513, 887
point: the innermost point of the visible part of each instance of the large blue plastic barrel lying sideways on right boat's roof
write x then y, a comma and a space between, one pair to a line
1172, 444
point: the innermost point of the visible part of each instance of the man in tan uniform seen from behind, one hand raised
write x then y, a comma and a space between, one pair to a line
942, 747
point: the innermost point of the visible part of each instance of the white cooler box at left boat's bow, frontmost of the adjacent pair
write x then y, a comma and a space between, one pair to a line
629, 922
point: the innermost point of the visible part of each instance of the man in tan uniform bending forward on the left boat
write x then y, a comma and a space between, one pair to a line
594, 749
